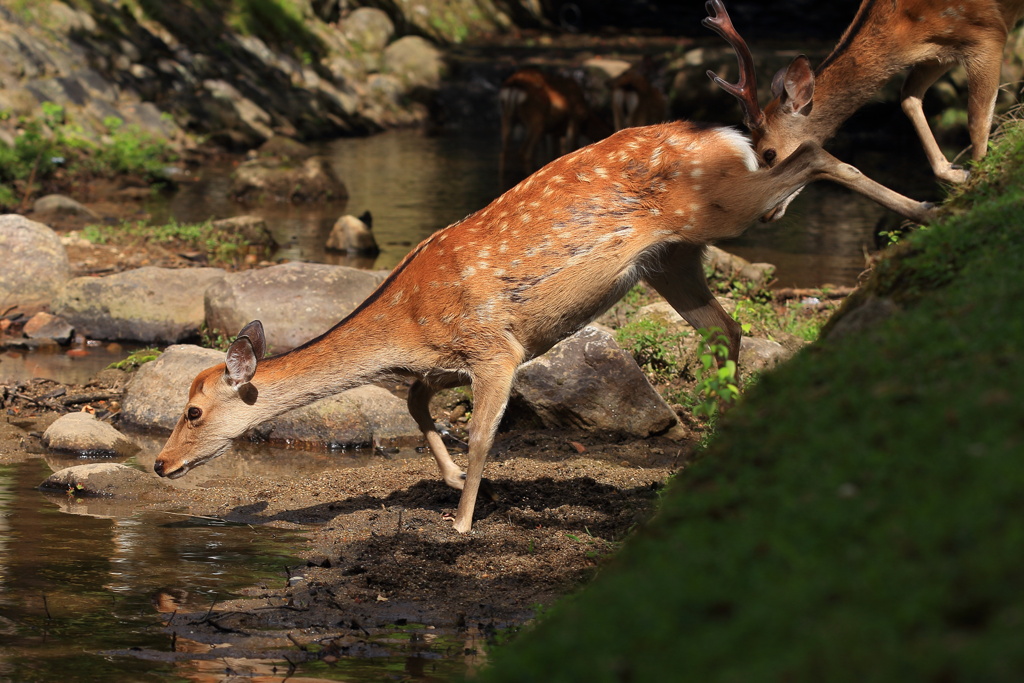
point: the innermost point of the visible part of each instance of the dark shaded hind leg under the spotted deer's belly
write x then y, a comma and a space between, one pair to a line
681, 281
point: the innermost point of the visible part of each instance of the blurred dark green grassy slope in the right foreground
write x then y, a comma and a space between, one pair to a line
861, 515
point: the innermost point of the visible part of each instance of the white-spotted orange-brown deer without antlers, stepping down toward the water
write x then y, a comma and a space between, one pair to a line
476, 301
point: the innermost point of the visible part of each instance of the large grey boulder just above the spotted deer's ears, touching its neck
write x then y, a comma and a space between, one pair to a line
295, 302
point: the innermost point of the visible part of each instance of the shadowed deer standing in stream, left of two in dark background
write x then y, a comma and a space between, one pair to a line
549, 109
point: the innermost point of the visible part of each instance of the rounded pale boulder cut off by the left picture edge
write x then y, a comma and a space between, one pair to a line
36, 265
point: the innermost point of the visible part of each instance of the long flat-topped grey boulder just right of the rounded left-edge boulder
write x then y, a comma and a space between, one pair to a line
149, 305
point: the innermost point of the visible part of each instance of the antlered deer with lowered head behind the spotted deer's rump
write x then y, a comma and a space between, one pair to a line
887, 36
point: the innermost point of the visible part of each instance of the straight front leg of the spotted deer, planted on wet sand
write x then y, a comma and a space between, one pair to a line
492, 386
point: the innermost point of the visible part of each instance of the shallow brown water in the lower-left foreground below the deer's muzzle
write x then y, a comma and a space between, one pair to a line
92, 590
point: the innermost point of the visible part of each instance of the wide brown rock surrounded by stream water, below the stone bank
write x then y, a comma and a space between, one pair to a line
272, 180
